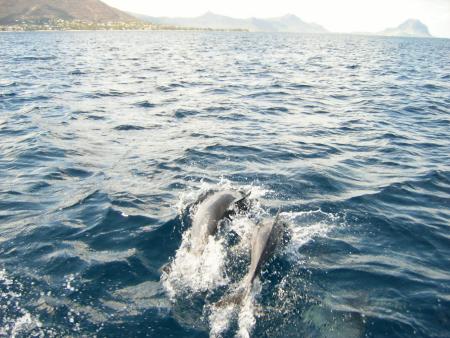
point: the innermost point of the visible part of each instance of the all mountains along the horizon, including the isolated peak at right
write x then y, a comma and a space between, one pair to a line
18, 12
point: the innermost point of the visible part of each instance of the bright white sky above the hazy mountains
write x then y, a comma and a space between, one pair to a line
341, 16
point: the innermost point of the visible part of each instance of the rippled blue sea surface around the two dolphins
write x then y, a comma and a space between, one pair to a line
107, 138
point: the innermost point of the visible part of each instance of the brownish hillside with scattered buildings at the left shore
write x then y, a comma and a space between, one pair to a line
14, 11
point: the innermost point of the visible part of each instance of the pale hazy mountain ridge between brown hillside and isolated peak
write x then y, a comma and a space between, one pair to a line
287, 23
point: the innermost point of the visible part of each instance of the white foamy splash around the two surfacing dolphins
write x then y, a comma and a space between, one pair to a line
211, 271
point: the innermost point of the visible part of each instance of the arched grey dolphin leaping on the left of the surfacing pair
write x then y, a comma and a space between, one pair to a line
210, 211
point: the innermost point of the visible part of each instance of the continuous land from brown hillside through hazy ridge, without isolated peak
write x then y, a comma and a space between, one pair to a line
23, 15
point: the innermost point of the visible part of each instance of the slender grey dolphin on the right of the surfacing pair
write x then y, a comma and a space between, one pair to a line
267, 236
